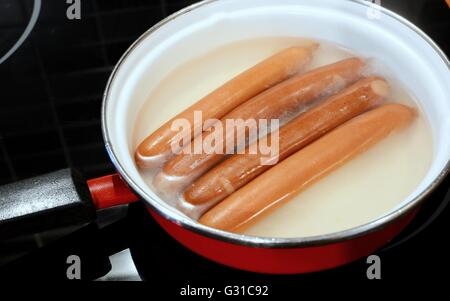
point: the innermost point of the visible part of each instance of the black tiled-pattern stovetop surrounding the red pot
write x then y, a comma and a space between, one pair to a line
50, 119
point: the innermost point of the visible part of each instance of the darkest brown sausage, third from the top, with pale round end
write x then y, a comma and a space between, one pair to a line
238, 170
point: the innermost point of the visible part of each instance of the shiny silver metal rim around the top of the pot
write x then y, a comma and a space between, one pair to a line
256, 241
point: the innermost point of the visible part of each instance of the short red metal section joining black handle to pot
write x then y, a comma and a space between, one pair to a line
110, 191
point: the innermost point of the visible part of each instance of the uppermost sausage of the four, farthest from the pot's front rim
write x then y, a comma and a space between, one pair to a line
157, 148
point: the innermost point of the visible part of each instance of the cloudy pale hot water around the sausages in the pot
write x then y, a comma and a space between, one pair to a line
364, 189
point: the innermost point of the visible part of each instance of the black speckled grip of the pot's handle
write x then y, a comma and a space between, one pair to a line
44, 202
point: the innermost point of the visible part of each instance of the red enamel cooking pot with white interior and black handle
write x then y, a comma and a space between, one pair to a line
369, 30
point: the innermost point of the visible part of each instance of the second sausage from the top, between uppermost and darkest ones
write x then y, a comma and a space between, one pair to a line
274, 103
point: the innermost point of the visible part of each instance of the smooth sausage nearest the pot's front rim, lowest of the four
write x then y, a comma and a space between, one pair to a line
305, 167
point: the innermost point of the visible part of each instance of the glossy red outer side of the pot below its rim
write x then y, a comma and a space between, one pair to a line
293, 260
